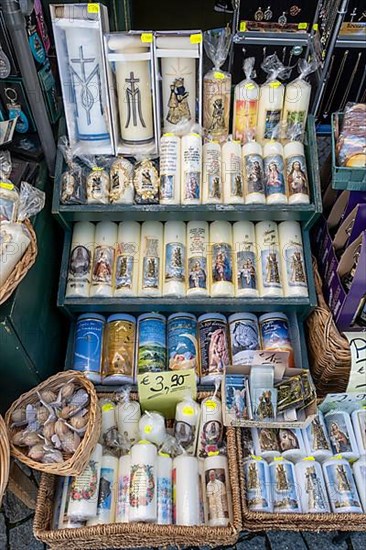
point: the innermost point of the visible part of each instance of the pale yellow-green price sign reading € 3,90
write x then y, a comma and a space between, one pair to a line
161, 391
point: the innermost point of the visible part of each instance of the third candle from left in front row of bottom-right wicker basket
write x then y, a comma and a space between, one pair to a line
313, 494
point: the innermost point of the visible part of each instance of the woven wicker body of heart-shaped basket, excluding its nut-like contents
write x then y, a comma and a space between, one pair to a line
76, 464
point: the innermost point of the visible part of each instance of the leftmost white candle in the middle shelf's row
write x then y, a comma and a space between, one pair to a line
80, 262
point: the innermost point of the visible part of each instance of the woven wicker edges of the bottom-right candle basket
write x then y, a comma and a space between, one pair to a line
262, 521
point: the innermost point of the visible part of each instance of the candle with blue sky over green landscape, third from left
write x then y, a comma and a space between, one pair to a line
151, 346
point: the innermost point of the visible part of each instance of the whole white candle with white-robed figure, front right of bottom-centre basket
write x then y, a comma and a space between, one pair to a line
218, 491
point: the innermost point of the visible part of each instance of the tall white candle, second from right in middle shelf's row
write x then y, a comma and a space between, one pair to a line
269, 266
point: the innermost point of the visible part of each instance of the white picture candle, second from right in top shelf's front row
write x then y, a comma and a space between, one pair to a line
274, 173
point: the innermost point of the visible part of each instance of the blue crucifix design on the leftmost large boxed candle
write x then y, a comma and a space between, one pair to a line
87, 97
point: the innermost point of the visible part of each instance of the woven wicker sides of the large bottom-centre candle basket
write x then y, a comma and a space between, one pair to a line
134, 535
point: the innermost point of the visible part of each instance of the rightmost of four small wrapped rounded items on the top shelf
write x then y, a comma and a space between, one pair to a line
146, 182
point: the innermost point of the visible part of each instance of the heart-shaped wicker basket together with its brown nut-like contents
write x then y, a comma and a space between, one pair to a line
53, 428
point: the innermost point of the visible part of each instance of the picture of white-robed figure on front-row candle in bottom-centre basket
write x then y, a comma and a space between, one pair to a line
216, 494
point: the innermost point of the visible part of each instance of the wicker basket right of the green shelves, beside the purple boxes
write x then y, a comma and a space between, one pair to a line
330, 355
